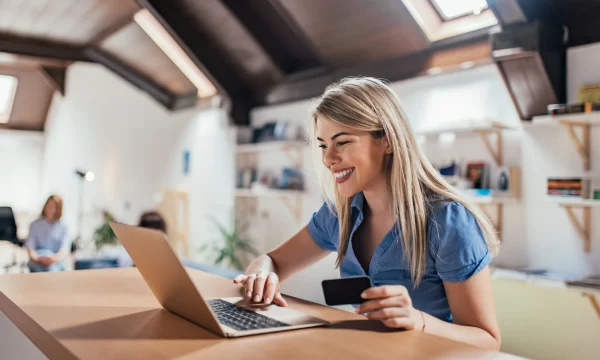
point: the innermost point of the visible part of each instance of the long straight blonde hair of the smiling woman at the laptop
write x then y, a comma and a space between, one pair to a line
367, 104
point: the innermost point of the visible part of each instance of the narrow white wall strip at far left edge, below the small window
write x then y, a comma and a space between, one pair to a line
21, 154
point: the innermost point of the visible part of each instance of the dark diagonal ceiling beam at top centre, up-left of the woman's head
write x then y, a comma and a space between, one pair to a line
277, 33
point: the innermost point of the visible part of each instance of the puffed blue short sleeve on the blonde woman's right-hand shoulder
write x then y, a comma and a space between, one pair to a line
458, 244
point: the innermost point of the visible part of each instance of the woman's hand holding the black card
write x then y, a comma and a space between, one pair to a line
392, 305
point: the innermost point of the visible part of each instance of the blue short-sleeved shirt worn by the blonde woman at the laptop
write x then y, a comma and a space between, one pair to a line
457, 251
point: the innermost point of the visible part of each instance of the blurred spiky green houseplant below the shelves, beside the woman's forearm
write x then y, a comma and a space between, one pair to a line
232, 247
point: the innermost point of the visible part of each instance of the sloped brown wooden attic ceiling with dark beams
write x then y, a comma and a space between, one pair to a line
260, 52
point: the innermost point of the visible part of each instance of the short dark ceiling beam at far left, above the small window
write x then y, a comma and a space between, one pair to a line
41, 49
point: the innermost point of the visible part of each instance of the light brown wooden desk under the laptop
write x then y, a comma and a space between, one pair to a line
112, 314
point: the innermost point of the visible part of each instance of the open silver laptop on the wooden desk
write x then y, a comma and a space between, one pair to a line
173, 288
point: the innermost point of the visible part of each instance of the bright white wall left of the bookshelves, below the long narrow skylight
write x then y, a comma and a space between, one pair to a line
134, 146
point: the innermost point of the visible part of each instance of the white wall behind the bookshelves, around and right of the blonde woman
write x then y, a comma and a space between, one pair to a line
536, 233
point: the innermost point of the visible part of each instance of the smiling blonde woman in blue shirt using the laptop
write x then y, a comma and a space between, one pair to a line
393, 218
